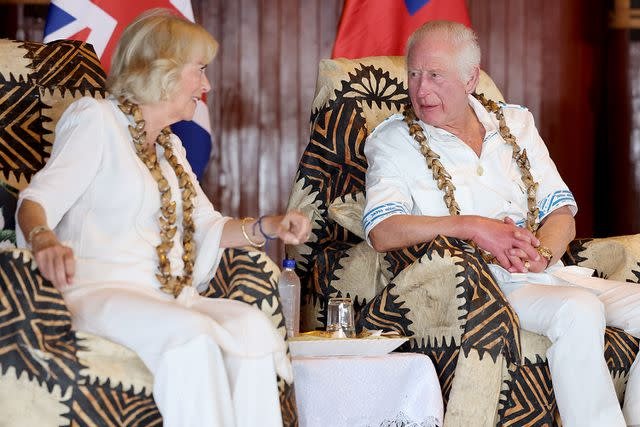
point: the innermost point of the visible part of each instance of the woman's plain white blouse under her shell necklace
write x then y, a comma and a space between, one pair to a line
102, 201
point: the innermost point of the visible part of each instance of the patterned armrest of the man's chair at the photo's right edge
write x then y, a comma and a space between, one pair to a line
615, 258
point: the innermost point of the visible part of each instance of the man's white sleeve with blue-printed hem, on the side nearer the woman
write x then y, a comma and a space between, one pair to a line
387, 190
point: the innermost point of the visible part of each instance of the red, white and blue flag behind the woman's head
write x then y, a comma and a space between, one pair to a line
100, 23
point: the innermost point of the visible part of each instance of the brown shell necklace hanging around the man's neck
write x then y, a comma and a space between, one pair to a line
442, 177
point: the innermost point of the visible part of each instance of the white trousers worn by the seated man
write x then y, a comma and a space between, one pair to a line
574, 319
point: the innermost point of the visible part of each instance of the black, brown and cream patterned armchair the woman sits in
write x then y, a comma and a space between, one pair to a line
51, 375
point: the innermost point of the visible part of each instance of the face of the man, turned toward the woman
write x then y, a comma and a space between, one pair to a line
438, 94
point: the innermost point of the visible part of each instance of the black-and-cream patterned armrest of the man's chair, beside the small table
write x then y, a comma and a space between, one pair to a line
444, 292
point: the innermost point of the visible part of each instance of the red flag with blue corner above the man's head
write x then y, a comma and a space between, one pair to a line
382, 27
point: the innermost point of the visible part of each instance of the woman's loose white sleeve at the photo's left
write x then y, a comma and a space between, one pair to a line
75, 160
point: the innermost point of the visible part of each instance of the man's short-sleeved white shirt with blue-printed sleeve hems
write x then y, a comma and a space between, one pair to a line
399, 181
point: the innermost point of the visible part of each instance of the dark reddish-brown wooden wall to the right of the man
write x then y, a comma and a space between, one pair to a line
546, 55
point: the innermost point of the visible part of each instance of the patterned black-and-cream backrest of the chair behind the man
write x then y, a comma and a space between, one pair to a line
352, 97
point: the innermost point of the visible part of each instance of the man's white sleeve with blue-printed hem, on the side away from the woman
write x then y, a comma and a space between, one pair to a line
552, 192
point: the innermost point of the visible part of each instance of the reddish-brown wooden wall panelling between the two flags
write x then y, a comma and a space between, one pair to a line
263, 82
